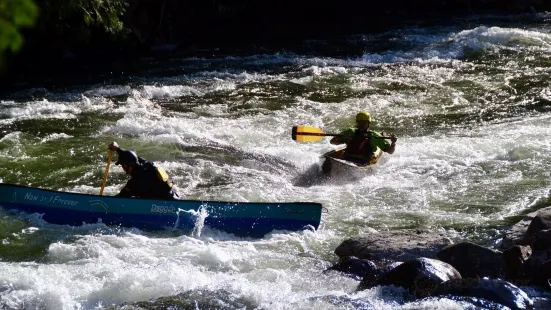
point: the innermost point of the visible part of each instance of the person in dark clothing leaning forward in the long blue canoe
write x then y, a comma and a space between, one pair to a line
147, 180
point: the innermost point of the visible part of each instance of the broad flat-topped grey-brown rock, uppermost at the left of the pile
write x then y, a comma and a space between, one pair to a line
399, 245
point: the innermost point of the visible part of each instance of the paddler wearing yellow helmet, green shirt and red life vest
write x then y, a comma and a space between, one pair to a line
362, 143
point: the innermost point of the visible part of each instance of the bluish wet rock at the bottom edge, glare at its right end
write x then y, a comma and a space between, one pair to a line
495, 290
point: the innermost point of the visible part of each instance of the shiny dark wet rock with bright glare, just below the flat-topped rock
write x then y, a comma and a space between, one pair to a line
420, 275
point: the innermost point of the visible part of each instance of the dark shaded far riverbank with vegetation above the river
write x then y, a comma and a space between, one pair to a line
43, 41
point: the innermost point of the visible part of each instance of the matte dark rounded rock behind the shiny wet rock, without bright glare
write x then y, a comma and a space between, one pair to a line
473, 261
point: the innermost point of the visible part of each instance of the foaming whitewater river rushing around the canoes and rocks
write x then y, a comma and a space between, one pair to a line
470, 103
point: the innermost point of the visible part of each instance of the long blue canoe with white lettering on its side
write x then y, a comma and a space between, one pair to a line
239, 218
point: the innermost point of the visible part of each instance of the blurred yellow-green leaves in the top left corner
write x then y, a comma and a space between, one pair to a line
14, 15
